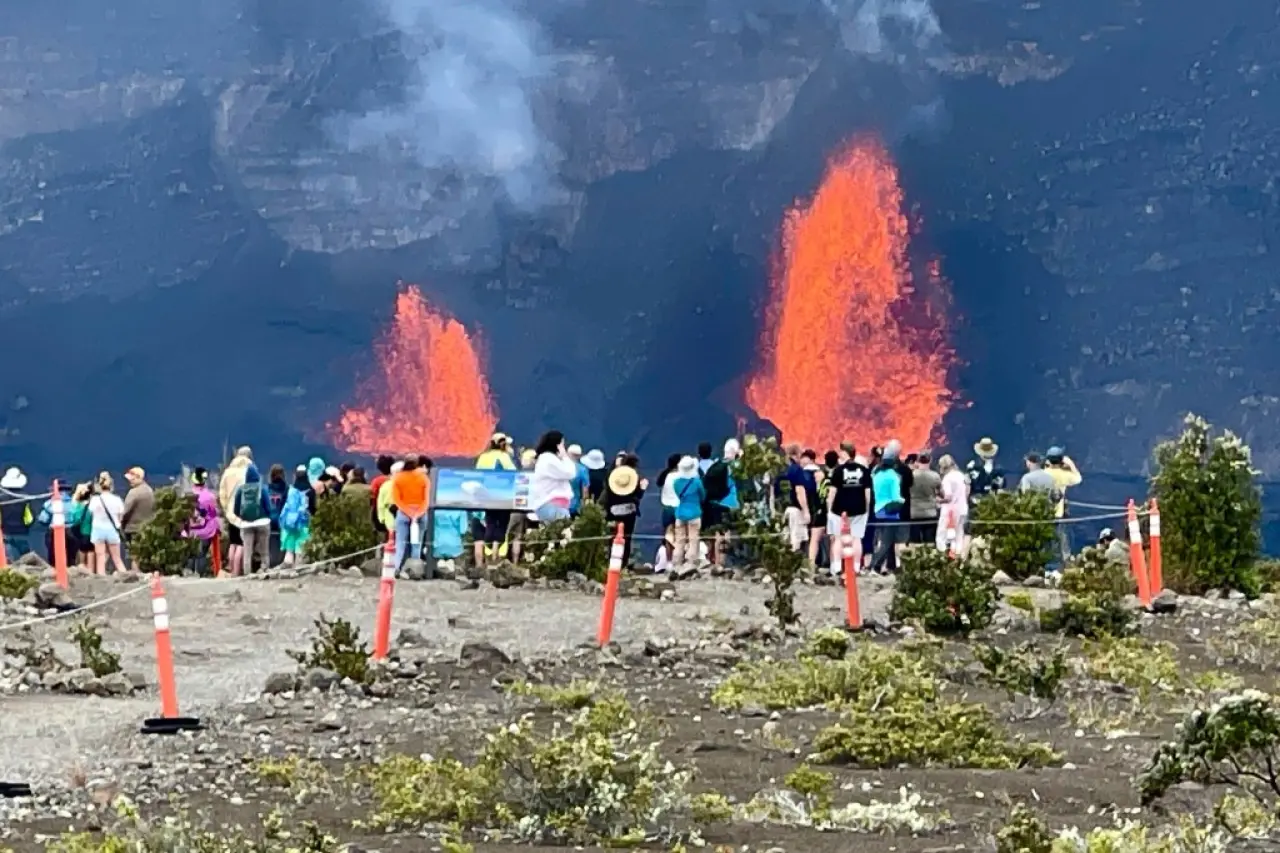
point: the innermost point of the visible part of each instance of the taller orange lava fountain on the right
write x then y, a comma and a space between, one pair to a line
853, 349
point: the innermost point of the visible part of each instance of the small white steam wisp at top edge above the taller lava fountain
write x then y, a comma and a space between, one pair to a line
898, 31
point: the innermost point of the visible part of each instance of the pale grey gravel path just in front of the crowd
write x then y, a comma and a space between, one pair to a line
230, 636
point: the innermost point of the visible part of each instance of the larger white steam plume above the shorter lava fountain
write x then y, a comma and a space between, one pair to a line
468, 108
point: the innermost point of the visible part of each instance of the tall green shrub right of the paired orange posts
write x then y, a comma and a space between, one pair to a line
1210, 512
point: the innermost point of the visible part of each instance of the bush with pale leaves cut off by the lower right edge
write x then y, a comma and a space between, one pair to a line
1236, 742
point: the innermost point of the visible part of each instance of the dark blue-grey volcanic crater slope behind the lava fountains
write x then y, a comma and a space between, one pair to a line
177, 217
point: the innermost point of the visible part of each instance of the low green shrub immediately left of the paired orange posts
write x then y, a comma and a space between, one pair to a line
1095, 589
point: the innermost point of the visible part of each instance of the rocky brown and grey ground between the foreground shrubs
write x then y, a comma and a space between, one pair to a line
294, 738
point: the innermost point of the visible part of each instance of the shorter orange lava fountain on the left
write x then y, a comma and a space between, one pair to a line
431, 395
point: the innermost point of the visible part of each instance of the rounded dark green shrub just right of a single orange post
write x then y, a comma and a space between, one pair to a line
947, 595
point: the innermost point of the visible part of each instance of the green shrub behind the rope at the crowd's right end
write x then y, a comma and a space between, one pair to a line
1025, 548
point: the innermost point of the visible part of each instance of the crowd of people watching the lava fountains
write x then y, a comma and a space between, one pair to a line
886, 499
